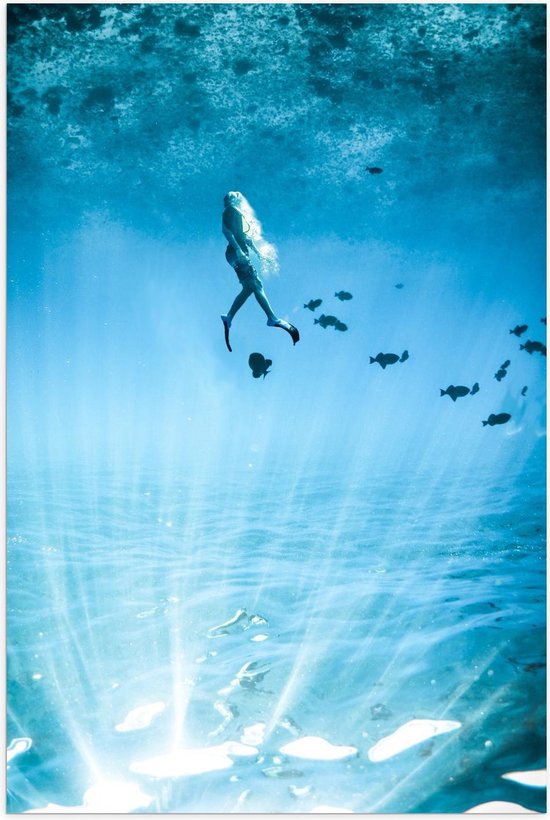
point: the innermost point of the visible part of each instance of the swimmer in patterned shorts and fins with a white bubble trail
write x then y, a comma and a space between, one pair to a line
242, 230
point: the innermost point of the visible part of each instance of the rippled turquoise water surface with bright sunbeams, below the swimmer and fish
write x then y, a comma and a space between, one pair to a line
378, 602
